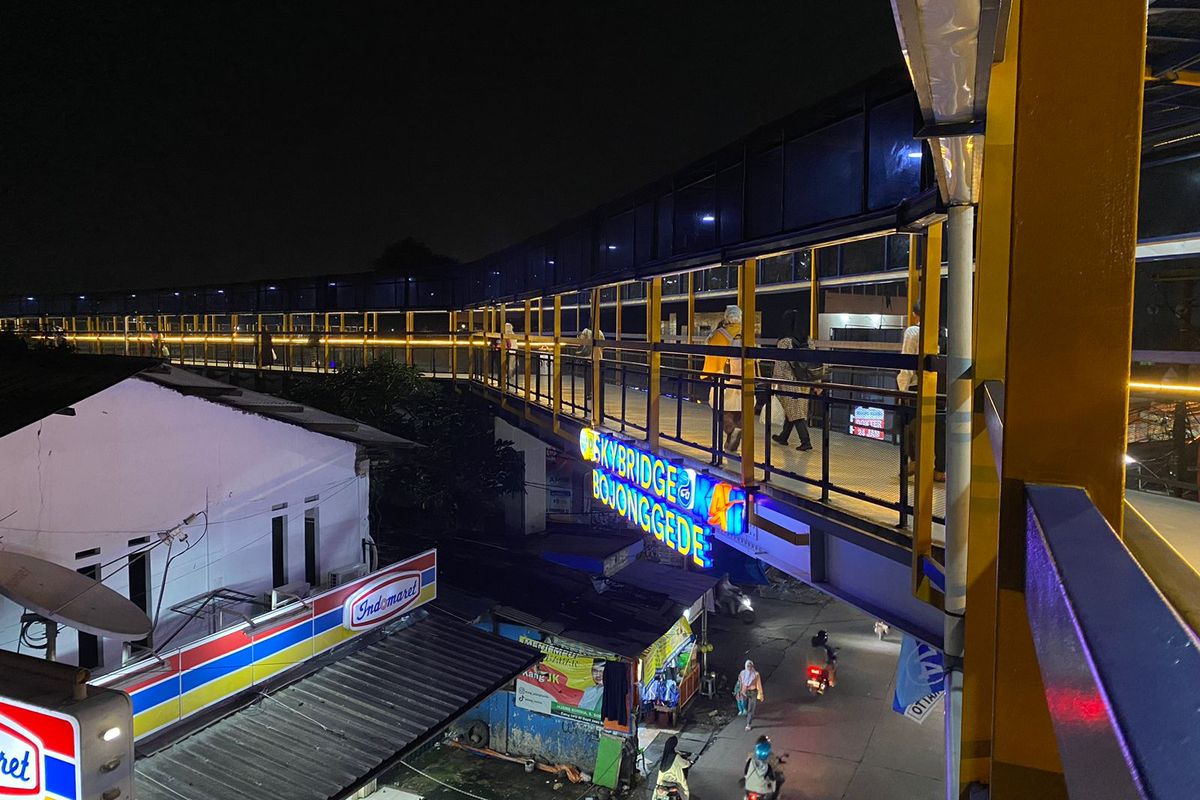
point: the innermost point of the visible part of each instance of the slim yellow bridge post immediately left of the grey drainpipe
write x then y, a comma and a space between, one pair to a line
927, 417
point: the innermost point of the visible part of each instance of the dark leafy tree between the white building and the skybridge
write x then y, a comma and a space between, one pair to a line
463, 471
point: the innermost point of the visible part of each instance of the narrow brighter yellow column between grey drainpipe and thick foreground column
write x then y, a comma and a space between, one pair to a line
991, 334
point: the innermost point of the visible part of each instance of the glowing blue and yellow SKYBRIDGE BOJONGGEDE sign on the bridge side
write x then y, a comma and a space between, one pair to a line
681, 507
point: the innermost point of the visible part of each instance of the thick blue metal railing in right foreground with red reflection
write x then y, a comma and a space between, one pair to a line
1120, 667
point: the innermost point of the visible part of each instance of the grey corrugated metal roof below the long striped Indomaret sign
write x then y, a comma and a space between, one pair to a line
326, 735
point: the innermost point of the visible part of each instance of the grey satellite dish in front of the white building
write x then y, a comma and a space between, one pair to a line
67, 597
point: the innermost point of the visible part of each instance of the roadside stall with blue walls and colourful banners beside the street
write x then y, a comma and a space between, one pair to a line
601, 636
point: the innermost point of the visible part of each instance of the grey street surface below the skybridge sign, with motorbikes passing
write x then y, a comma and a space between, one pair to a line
845, 745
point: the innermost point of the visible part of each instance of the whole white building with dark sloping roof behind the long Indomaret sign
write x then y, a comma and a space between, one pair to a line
107, 464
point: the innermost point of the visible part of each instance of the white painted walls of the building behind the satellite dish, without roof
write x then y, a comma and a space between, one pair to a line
139, 459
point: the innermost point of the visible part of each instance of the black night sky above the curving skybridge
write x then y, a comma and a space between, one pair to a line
149, 145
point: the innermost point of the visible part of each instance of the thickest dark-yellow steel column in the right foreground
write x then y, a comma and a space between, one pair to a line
1071, 264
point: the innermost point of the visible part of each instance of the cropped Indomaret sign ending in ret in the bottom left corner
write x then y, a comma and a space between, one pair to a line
39, 754
